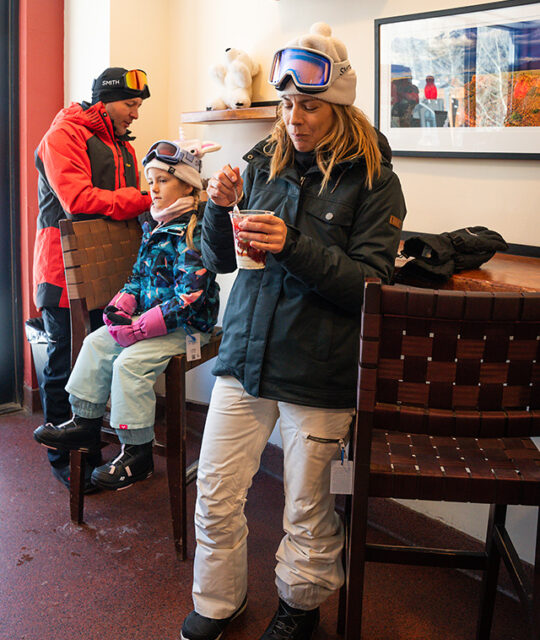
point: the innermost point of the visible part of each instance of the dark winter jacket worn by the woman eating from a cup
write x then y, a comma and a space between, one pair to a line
290, 331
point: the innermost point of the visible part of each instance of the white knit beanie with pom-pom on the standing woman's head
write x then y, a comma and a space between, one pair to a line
319, 38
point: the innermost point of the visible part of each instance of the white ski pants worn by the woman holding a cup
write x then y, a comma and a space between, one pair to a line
237, 429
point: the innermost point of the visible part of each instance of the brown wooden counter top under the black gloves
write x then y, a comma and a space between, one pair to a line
504, 272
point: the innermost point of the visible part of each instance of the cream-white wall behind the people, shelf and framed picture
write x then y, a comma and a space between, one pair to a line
176, 42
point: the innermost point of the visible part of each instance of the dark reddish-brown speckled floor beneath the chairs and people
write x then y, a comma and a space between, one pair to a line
117, 578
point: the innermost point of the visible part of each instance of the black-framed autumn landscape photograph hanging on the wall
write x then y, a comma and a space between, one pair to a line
462, 82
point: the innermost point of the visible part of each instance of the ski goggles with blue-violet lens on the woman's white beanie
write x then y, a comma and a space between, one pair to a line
311, 71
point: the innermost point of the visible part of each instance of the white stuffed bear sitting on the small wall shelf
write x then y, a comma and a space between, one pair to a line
235, 78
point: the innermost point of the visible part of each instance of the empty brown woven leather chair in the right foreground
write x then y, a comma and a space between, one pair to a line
448, 399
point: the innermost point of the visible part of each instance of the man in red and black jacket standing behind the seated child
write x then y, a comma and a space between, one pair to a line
87, 169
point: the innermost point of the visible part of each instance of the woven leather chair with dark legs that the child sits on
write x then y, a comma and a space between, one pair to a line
98, 258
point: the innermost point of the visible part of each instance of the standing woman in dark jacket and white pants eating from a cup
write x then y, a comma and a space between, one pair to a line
290, 341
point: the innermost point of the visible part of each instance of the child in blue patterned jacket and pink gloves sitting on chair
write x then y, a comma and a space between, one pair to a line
170, 298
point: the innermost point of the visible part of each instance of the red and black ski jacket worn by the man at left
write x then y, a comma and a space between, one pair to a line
85, 172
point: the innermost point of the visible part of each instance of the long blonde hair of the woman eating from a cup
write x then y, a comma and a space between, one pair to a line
350, 136
